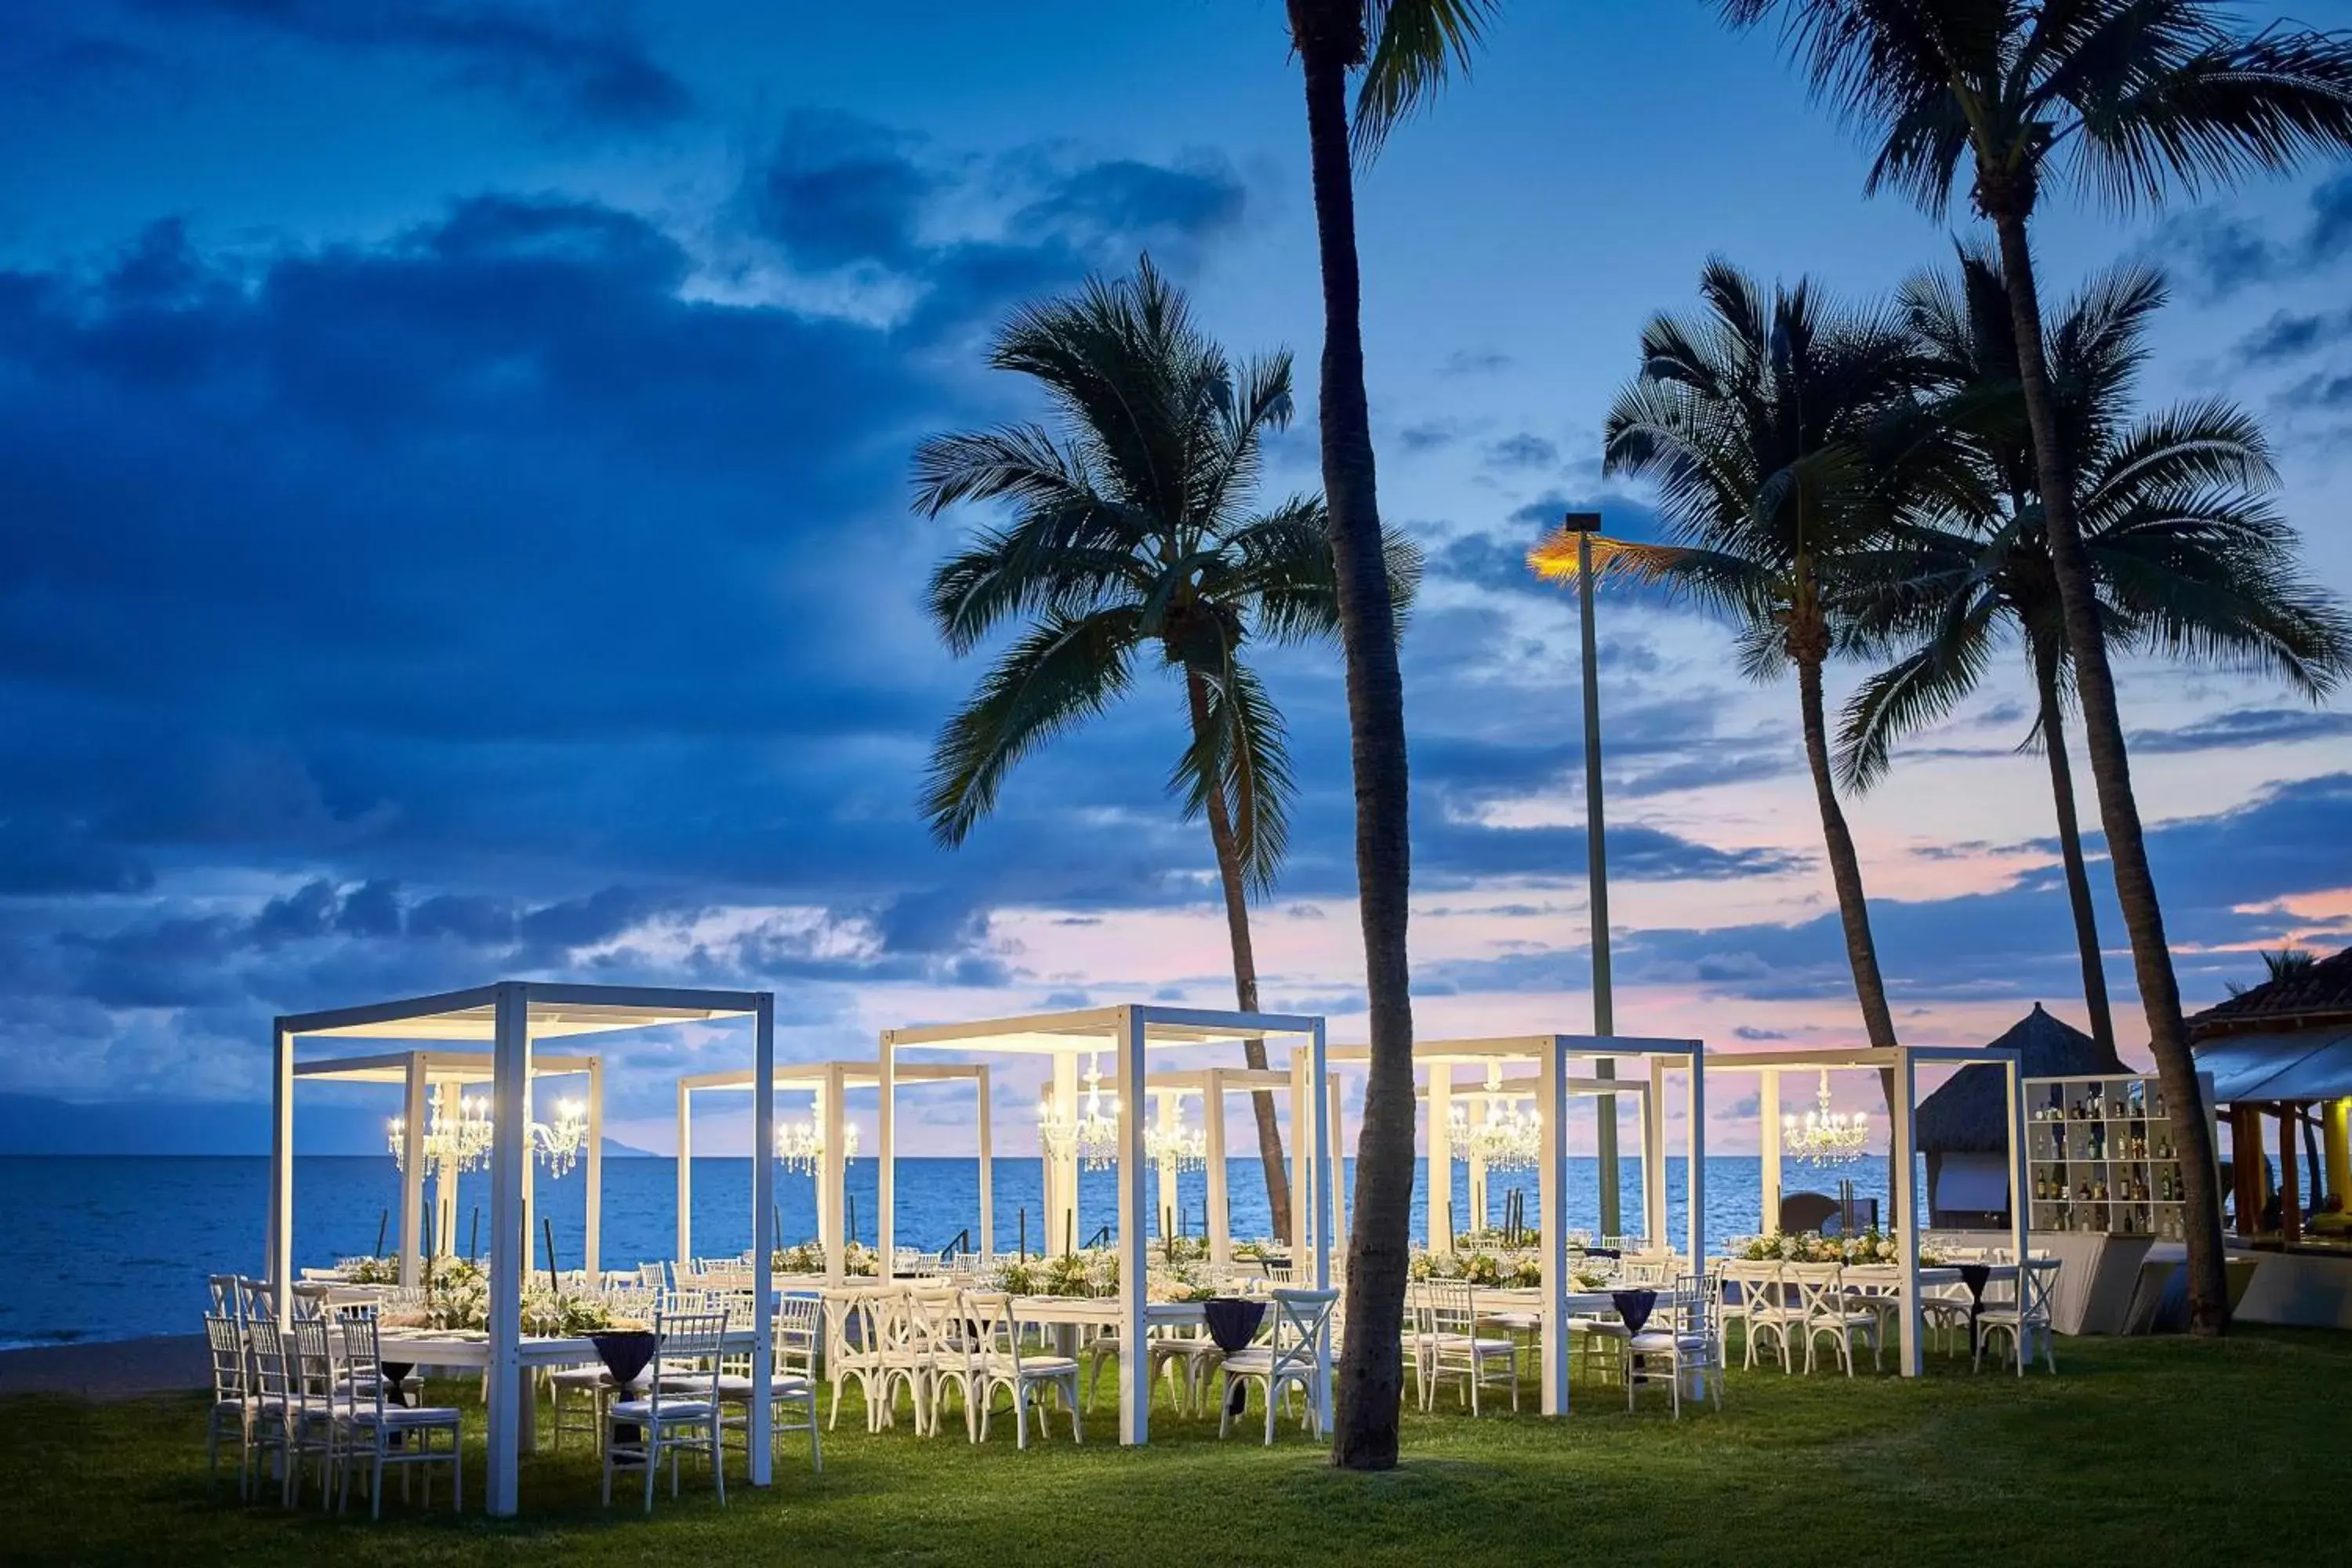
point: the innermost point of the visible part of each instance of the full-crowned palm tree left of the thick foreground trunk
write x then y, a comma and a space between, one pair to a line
1132, 537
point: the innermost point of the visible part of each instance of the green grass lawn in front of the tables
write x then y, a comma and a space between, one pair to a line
2141, 1452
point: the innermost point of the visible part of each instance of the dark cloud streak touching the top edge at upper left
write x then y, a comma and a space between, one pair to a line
570, 60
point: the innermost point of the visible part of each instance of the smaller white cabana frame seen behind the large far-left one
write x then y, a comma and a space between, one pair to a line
434, 1083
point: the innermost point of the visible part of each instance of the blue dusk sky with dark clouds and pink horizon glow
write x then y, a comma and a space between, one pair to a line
455, 490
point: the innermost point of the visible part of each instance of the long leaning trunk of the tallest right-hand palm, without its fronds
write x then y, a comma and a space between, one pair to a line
2118, 810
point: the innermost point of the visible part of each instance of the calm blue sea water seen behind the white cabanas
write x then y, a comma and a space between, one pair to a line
109, 1249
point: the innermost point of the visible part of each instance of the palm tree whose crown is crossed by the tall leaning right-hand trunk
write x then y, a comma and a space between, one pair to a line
2172, 509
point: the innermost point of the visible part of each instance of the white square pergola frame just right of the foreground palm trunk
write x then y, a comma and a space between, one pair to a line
1553, 1087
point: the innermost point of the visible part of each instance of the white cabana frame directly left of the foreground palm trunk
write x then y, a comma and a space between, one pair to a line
1130, 1036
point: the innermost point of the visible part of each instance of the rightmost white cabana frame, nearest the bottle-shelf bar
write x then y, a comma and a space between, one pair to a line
1904, 1144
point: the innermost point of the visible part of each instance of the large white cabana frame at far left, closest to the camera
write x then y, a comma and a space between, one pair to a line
512, 1014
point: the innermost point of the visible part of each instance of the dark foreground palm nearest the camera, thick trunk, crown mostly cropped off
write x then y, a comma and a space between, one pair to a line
1401, 51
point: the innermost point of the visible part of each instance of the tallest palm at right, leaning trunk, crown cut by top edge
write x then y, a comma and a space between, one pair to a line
2127, 100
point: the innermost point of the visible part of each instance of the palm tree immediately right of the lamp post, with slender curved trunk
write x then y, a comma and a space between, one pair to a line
1782, 434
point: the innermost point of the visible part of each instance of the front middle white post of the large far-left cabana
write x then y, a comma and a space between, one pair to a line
509, 1155
